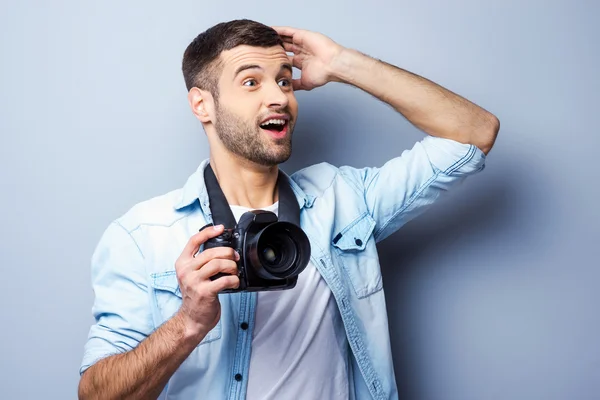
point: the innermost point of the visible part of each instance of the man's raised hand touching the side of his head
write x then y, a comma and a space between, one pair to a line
314, 54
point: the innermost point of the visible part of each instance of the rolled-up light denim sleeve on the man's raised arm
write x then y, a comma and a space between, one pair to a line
405, 186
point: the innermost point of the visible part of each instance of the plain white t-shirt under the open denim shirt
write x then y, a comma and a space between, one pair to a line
299, 346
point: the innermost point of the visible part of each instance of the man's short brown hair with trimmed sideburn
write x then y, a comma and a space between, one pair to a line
200, 61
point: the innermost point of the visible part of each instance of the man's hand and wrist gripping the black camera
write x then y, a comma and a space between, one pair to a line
200, 310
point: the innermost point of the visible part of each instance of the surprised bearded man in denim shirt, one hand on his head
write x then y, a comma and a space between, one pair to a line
164, 329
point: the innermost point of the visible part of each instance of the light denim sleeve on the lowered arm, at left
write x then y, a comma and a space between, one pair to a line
121, 308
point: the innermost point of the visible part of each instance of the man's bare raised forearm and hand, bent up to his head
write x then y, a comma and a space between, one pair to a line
427, 105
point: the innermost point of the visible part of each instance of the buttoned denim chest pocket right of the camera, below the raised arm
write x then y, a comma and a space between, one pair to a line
355, 249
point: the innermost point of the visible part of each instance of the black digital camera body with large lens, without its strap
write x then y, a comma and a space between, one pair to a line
272, 253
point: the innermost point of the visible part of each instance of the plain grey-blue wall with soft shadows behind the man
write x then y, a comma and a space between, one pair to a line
493, 294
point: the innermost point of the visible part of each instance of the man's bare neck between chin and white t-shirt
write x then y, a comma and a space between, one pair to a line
245, 183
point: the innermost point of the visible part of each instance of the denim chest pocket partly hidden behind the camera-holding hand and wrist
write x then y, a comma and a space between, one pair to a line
167, 301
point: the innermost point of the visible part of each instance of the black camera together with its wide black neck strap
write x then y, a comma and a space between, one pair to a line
273, 251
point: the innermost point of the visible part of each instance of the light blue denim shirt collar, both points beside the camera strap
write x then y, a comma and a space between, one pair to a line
195, 189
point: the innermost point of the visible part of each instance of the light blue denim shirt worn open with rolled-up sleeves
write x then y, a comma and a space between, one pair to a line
344, 211
